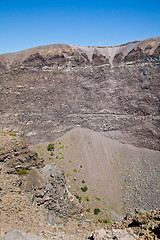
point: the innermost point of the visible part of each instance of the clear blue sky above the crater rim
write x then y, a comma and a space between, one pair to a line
29, 23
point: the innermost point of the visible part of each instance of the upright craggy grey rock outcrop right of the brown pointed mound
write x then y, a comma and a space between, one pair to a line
53, 194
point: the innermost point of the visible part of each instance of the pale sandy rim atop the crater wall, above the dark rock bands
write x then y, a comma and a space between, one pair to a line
147, 46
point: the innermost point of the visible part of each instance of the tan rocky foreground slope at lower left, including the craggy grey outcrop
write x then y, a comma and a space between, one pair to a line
34, 200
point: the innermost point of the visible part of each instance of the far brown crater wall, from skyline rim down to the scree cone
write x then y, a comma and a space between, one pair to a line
51, 89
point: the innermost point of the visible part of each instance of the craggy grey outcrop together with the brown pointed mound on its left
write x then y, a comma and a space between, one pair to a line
49, 191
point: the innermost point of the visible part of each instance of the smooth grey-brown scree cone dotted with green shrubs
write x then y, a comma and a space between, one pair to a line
118, 177
